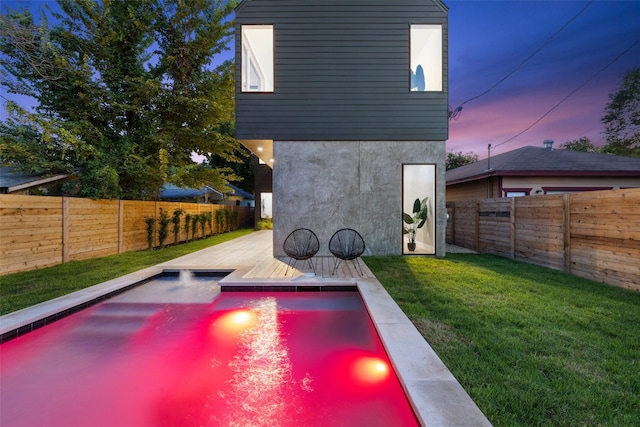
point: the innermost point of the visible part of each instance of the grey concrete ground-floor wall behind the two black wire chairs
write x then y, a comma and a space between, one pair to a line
325, 186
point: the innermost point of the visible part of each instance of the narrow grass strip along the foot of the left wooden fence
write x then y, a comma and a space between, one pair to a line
22, 290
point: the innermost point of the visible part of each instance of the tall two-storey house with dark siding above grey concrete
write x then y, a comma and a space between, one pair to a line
347, 102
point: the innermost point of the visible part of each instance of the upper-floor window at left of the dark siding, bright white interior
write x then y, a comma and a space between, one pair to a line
257, 58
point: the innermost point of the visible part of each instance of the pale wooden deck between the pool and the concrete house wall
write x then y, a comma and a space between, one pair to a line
251, 257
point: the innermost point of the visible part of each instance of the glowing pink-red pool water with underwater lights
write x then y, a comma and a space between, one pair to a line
178, 353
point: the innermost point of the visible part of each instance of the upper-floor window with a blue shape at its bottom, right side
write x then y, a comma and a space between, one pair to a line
426, 58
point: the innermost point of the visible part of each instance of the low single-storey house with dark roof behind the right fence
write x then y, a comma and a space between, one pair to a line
541, 170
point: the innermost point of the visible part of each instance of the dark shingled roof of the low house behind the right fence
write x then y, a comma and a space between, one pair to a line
538, 161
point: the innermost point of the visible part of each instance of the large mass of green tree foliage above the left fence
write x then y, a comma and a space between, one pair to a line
126, 91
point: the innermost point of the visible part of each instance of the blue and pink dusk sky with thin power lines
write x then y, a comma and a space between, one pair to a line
525, 42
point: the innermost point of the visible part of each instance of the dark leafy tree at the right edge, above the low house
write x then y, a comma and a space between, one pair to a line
622, 117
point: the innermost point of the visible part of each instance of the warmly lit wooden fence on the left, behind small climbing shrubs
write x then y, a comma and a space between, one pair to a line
38, 232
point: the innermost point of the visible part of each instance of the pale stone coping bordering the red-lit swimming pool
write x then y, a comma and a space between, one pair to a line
434, 393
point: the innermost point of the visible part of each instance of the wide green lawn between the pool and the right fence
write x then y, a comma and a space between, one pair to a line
531, 346
